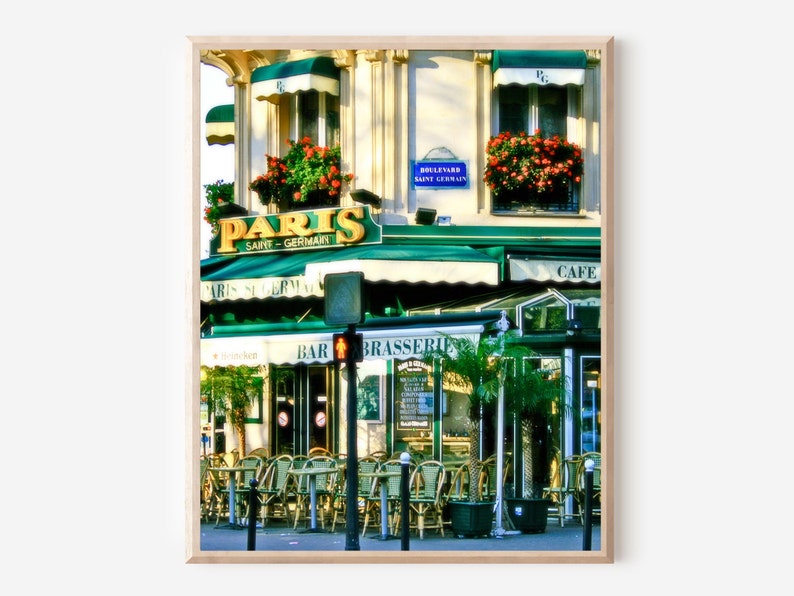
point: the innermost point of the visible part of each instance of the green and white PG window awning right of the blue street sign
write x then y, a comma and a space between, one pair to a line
538, 67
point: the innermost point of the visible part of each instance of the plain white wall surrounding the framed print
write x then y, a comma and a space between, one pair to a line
95, 107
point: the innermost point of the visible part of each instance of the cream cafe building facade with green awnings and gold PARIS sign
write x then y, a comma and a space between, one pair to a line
440, 255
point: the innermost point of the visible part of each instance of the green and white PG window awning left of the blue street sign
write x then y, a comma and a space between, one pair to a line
319, 74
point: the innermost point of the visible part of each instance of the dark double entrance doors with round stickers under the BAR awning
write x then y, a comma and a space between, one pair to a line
304, 415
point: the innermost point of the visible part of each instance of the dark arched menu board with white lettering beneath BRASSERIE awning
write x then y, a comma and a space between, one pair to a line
414, 395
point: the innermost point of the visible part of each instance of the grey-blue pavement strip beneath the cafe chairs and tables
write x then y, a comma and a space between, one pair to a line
283, 538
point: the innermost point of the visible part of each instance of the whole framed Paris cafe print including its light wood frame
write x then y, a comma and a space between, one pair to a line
460, 408
